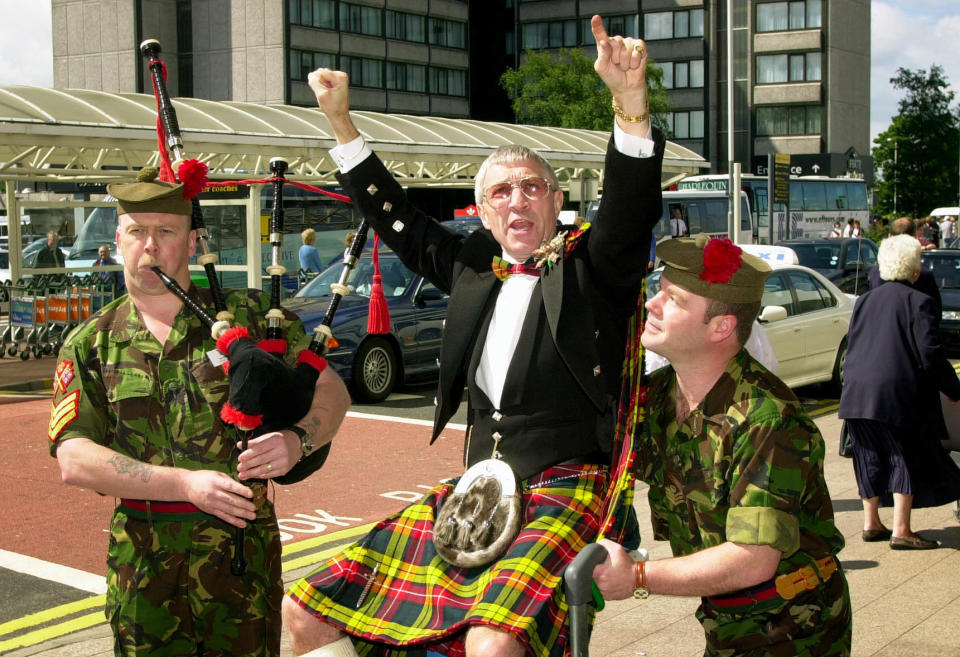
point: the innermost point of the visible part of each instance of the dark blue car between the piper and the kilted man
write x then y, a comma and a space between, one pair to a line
372, 365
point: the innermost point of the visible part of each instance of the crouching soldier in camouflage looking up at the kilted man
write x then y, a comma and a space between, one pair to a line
735, 469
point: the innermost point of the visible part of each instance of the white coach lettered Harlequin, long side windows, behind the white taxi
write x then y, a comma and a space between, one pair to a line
816, 203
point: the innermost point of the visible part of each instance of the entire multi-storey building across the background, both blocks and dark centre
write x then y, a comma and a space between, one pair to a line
801, 68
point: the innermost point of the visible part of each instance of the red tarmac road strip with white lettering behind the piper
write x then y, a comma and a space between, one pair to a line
375, 467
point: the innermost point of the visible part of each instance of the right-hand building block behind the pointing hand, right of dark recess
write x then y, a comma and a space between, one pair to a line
801, 72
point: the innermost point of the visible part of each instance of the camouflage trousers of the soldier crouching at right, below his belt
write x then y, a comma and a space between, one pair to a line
817, 623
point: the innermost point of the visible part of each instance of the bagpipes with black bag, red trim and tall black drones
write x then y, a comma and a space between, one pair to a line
265, 392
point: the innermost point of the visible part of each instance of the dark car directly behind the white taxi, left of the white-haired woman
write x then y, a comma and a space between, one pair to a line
844, 262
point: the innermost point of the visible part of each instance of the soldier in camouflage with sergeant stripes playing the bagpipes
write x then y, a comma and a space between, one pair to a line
136, 416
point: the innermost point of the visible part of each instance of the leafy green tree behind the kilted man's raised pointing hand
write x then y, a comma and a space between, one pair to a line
563, 90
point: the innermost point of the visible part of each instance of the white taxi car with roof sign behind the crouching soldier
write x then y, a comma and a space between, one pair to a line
805, 317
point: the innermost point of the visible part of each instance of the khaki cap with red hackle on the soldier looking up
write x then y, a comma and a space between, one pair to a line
713, 268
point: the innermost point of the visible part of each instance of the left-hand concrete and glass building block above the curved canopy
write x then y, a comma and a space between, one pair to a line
403, 56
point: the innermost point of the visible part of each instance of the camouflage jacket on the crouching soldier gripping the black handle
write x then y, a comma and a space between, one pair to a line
746, 466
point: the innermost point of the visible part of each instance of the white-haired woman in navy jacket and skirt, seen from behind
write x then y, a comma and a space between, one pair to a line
894, 372
